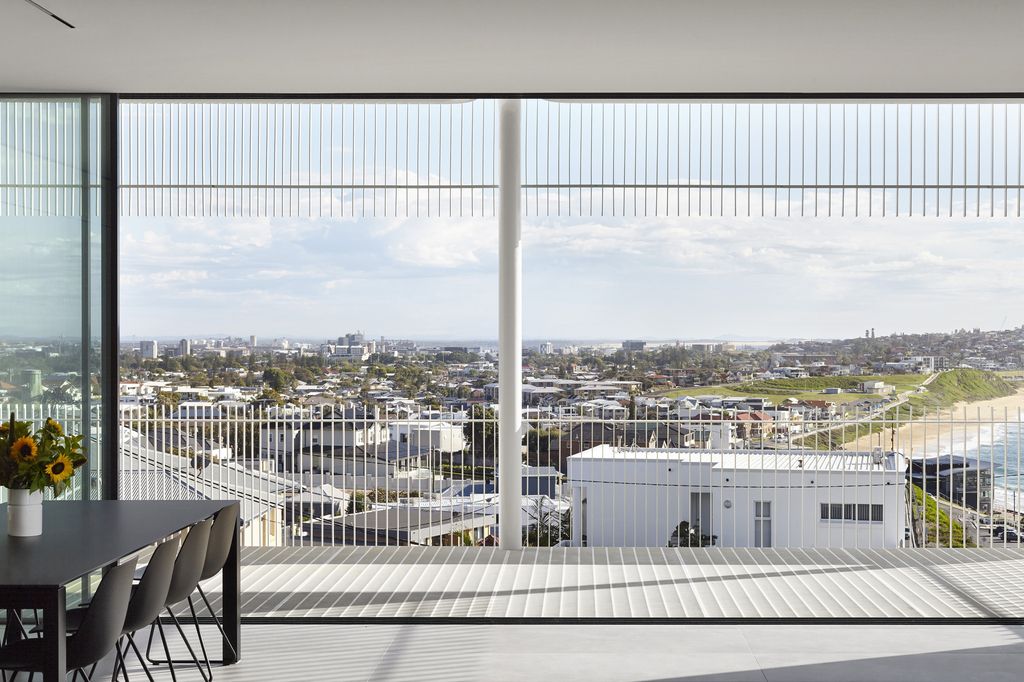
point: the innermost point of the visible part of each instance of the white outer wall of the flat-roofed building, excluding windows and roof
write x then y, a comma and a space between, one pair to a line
642, 502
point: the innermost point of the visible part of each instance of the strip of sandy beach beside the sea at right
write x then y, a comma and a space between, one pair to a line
953, 431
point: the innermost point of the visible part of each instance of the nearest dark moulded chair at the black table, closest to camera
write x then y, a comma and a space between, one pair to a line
97, 636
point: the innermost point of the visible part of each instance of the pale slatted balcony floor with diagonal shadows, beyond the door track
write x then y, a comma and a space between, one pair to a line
592, 583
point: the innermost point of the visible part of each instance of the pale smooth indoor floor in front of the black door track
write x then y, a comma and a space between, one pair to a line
624, 653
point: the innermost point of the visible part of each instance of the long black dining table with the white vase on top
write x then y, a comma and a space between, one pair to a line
82, 537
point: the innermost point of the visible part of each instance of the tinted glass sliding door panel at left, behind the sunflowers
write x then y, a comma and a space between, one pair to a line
52, 153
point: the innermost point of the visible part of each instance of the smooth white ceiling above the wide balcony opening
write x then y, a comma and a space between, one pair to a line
514, 47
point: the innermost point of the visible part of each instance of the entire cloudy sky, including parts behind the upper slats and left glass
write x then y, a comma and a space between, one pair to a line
605, 278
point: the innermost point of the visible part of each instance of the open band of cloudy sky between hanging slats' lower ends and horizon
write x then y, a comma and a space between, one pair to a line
753, 279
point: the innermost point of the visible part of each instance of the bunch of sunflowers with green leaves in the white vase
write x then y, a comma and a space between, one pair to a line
37, 460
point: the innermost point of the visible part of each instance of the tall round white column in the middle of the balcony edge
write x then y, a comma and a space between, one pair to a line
509, 330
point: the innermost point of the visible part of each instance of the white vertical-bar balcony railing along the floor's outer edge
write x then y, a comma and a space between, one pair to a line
325, 477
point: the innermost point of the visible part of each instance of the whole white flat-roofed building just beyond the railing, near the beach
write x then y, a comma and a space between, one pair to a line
638, 497
